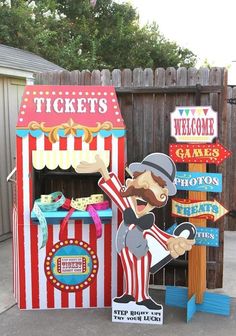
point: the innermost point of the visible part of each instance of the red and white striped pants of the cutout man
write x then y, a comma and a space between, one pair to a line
136, 274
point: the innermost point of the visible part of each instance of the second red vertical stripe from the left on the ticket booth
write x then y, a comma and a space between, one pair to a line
33, 234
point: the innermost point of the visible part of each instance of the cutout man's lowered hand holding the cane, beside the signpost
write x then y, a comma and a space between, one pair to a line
179, 245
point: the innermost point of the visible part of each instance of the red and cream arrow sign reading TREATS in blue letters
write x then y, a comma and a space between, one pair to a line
212, 210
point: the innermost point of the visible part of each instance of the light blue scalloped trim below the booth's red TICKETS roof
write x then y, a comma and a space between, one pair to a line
79, 133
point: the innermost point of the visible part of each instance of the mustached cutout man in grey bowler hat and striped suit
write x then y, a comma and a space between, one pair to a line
152, 183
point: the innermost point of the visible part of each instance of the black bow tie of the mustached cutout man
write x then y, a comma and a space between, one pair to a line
143, 223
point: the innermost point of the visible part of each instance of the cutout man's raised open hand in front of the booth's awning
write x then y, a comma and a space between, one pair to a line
94, 167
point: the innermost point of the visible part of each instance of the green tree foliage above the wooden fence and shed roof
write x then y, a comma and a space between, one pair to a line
76, 35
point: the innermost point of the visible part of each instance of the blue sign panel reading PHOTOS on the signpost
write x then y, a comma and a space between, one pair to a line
208, 182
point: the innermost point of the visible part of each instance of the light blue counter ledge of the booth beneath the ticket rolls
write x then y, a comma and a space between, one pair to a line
54, 217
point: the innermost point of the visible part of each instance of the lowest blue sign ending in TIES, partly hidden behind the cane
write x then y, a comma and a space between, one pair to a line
204, 236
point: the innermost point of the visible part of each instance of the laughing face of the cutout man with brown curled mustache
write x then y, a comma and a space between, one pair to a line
146, 191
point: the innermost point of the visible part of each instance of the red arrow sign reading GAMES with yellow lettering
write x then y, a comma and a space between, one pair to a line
199, 153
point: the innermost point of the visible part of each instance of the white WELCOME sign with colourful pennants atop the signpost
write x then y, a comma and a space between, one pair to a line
194, 124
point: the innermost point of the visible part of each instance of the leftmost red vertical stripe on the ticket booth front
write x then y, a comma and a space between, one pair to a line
22, 301
